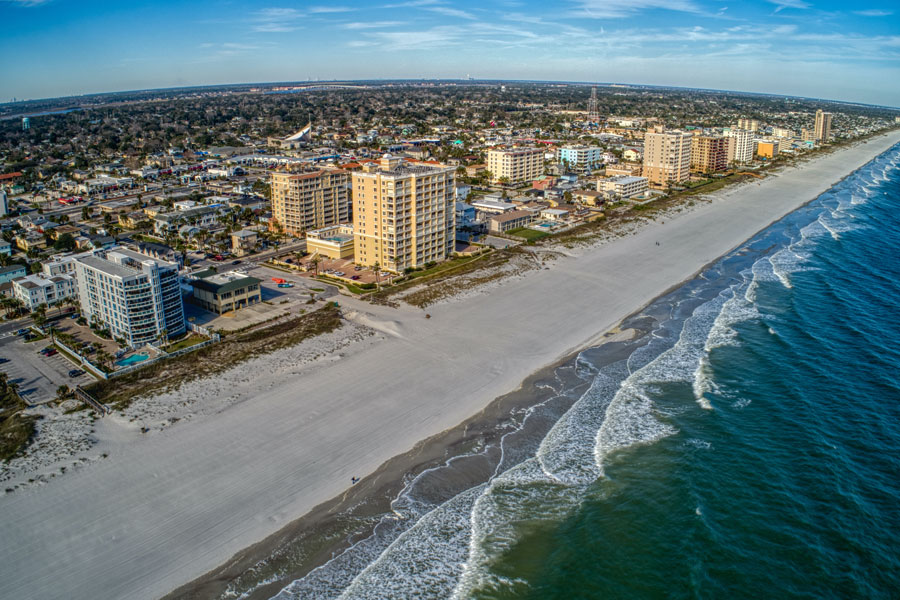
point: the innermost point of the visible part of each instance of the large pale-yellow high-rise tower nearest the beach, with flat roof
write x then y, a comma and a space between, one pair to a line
403, 213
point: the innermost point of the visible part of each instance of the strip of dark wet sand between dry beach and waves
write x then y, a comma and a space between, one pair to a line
379, 489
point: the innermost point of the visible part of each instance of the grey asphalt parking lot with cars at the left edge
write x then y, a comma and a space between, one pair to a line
38, 376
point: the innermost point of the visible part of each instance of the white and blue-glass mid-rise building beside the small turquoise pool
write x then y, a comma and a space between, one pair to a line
135, 296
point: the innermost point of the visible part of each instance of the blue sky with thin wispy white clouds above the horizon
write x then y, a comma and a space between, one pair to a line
832, 50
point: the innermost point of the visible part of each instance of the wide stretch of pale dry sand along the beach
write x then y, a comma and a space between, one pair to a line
166, 507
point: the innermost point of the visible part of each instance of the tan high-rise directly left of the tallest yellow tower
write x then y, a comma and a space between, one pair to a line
305, 201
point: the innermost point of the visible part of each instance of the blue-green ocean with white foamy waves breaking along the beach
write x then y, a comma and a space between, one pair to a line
745, 443
